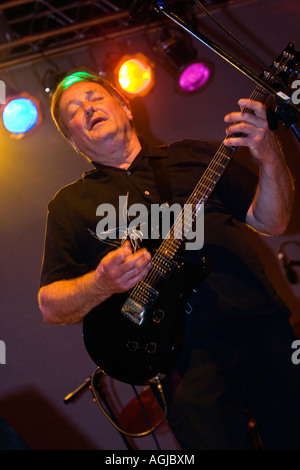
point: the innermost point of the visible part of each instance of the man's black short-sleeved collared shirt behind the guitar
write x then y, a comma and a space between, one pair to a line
237, 284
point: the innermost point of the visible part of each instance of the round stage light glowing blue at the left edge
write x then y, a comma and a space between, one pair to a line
21, 114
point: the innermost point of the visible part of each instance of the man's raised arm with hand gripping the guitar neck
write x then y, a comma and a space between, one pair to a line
271, 208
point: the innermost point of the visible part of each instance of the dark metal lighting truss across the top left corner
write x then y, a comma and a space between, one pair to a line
31, 29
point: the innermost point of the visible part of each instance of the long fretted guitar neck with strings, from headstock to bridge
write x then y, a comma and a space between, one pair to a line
163, 260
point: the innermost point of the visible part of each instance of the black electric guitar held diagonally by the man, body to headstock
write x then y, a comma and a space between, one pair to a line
135, 336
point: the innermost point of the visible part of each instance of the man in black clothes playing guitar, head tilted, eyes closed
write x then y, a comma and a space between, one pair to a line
236, 353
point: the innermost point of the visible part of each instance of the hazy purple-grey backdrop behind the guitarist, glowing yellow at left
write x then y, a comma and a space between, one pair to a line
44, 363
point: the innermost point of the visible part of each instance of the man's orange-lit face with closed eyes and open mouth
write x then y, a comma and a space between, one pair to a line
97, 124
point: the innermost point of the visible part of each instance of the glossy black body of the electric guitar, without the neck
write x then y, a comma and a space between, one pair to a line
135, 353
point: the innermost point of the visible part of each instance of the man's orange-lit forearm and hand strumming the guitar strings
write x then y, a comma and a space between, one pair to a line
68, 301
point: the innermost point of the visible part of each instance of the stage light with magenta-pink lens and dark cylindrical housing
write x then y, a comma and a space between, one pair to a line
192, 74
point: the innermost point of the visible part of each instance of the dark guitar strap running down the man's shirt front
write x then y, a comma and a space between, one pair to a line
162, 179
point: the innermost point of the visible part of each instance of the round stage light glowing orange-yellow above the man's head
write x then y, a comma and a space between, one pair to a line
135, 75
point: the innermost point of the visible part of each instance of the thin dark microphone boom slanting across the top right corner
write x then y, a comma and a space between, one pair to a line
285, 110
